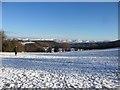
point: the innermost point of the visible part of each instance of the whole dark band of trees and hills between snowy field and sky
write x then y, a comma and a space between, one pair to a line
48, 46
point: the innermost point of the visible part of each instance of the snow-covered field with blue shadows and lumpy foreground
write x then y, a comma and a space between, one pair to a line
80, 69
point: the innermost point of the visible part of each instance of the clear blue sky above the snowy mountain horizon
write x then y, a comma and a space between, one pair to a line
79, 20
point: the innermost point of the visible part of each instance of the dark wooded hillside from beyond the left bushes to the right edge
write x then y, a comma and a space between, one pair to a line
40, 46
